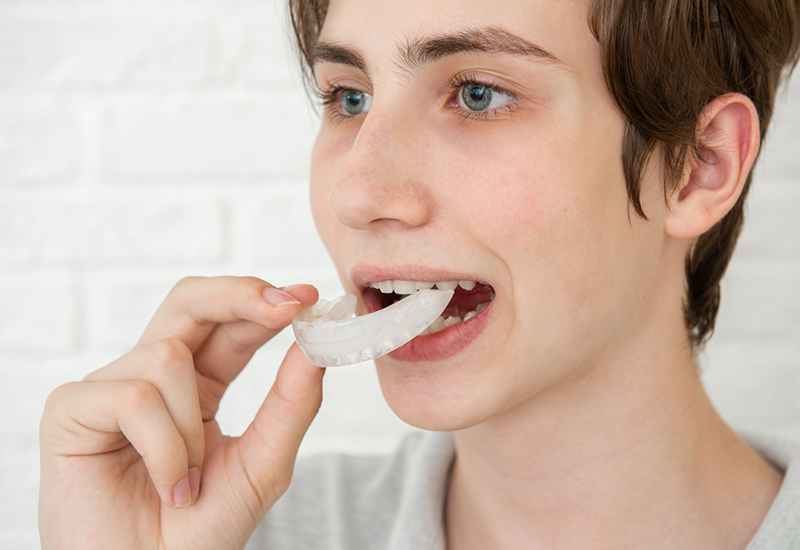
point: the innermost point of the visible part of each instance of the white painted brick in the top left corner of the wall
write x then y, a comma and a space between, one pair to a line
109, 45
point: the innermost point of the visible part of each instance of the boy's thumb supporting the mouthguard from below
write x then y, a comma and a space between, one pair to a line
269, 445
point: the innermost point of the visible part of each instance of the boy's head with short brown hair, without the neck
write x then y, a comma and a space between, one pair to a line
599, 189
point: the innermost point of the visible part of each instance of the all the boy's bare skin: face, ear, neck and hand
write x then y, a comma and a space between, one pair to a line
579, 415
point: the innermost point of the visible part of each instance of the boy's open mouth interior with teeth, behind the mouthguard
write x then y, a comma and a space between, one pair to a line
470, 298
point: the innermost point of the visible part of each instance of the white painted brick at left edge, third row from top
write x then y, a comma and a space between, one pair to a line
136, 230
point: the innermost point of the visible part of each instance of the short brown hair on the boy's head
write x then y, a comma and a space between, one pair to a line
664, 61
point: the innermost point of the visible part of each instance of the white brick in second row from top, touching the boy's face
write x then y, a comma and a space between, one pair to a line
205, 138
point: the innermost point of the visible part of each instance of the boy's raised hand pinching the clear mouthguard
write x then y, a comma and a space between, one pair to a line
131, 457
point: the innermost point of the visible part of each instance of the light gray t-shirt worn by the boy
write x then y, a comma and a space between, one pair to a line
396, 502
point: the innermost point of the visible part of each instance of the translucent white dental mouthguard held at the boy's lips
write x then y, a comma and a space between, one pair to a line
329, 335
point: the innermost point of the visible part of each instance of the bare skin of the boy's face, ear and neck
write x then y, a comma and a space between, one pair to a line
580, 418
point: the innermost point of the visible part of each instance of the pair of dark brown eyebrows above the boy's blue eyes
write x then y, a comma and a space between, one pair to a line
418, 52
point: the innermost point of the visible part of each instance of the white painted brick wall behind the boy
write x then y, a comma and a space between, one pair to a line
142, 141
